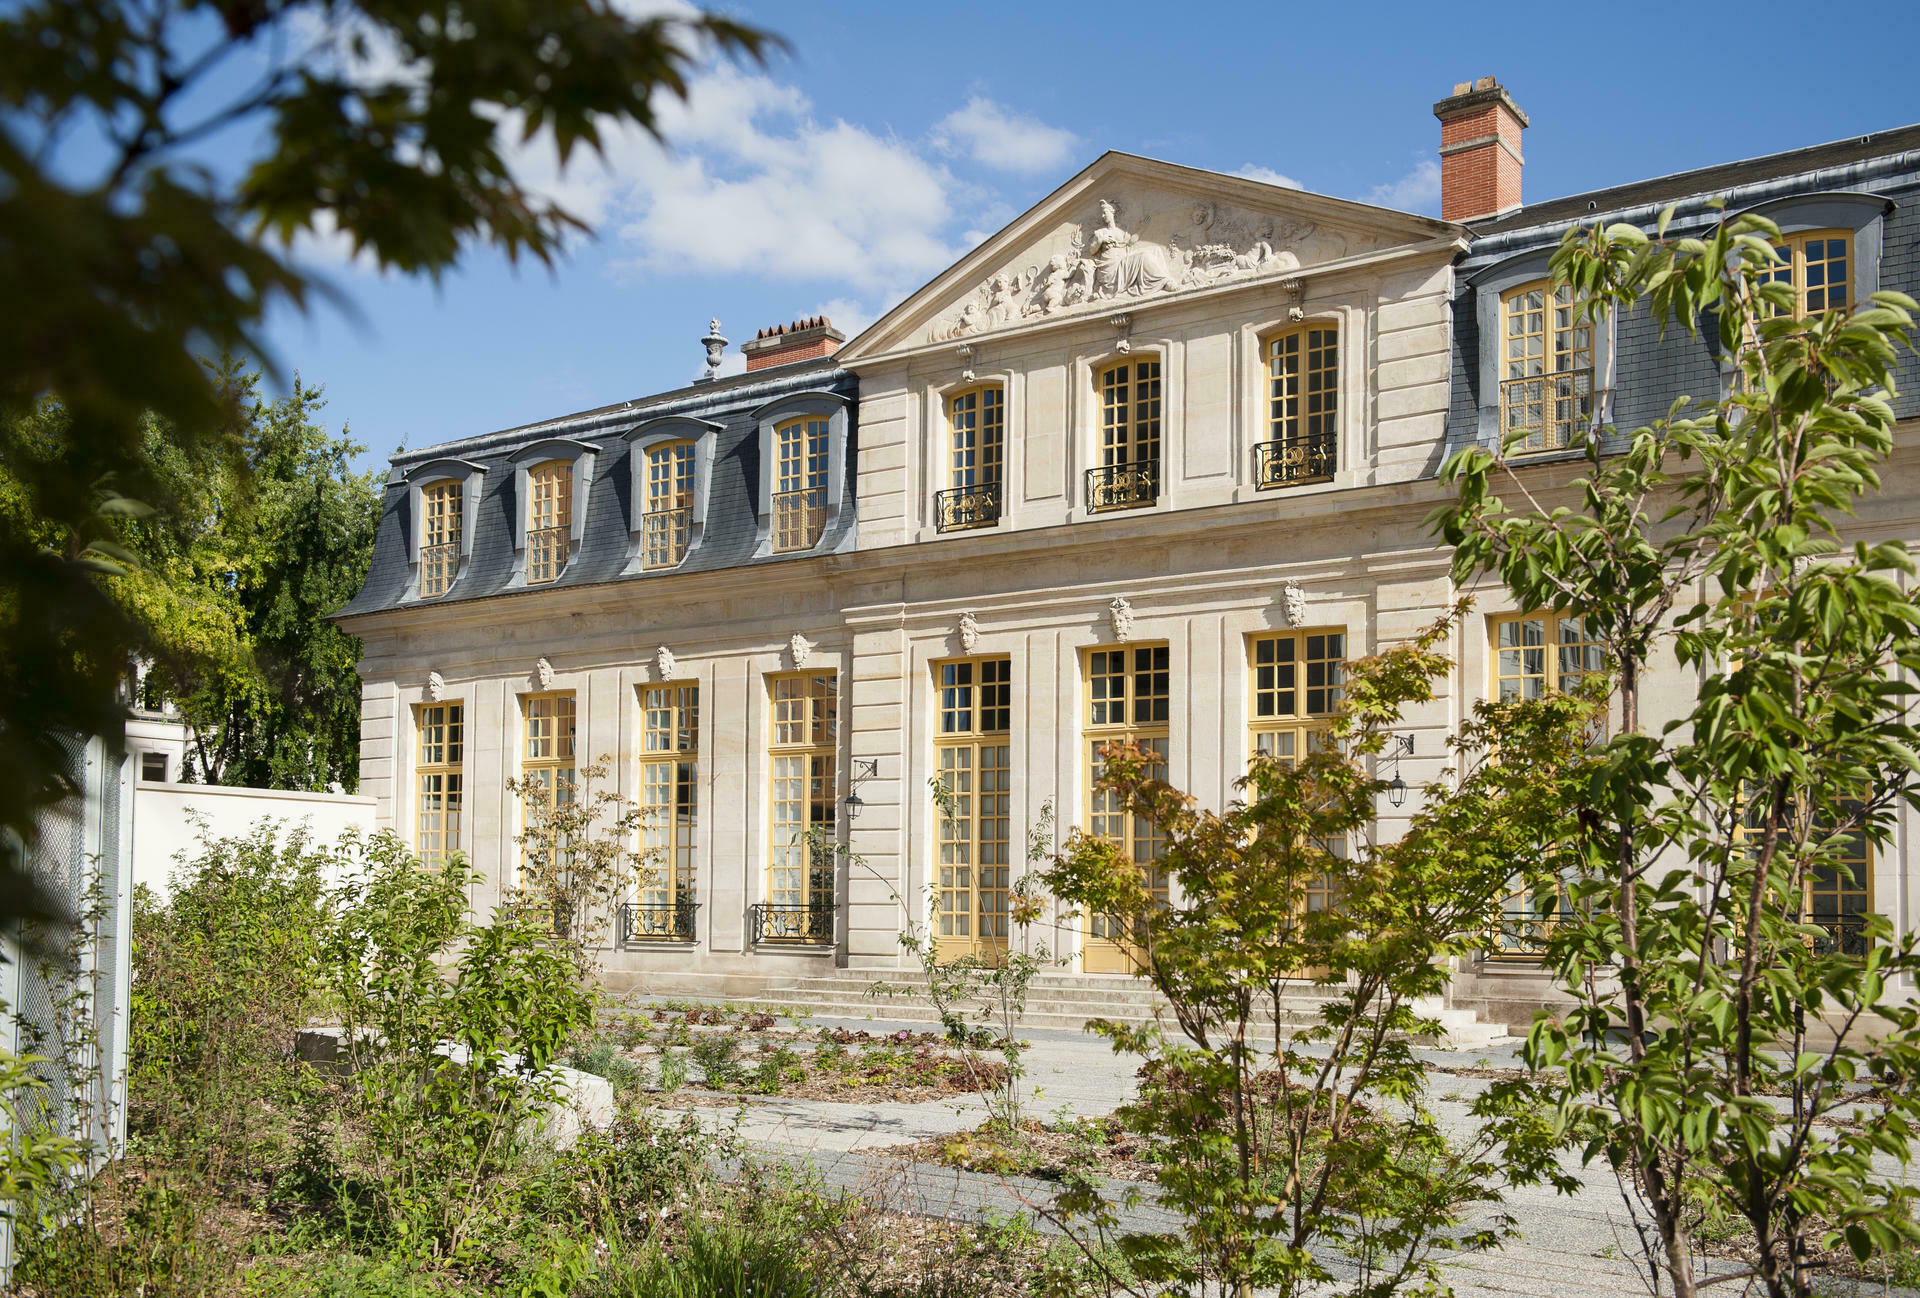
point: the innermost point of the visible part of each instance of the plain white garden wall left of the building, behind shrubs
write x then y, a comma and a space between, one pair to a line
164, 821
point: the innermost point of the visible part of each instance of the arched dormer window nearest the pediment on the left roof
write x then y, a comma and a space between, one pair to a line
804, 473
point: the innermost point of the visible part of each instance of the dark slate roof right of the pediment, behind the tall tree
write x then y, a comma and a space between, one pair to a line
1879, 172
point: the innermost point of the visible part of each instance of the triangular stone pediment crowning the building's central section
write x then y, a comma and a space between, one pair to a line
1132, 231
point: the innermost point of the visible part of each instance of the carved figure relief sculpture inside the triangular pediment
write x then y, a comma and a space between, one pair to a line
1115, 264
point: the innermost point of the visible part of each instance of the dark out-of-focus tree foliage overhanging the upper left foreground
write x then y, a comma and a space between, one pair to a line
387, 122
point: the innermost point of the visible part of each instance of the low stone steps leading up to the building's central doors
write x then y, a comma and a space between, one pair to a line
1061, 1001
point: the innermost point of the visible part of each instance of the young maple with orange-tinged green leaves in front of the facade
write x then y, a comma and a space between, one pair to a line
1272, 1143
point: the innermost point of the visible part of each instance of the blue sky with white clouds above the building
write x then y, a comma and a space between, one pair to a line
898, 135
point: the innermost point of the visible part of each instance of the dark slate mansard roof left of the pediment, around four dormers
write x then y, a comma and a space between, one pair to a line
734, 512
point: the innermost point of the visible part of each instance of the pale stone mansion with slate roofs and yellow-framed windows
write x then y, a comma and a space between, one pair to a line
1151, 462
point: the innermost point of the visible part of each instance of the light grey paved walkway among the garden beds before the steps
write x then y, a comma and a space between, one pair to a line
1572, 1247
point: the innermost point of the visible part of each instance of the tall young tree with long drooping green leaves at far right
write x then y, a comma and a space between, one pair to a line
1723, 1021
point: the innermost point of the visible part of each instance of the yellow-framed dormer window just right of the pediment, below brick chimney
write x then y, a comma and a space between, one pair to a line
1547, 393
